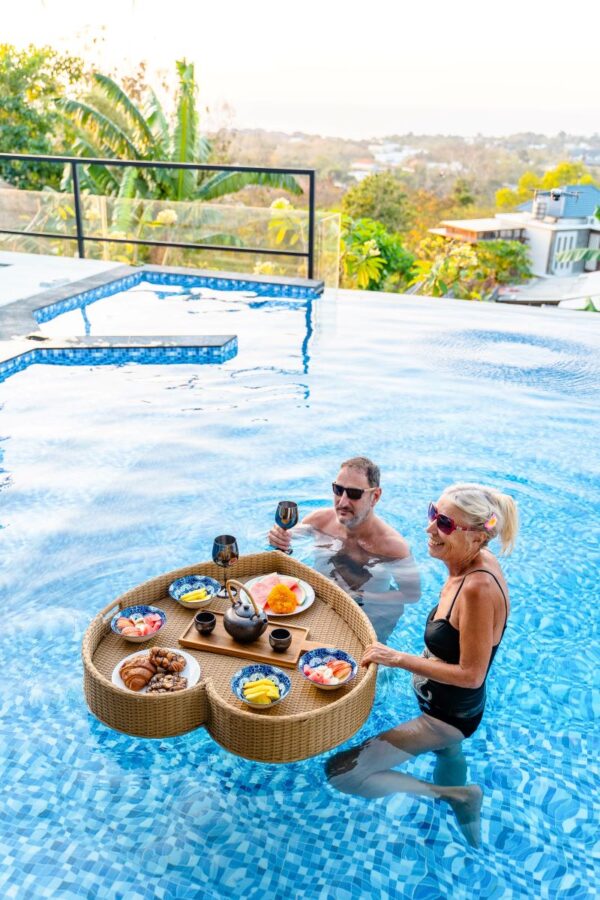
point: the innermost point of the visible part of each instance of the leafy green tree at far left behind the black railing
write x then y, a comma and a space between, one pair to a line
30, 81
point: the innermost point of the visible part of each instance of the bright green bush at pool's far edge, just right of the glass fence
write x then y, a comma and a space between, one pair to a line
372, 258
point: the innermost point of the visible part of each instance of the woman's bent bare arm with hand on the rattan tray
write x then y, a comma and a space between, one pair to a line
476, 627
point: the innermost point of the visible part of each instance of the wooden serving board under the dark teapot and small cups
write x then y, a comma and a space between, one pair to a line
219, 641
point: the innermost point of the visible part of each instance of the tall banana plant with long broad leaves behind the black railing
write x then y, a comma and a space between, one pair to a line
108, 123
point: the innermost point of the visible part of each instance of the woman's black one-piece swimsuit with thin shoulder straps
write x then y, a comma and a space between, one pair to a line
461, 707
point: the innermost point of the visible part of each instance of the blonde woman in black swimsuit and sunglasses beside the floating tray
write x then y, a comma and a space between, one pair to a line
462, 634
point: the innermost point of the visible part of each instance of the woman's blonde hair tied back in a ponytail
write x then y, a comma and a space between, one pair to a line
494, 512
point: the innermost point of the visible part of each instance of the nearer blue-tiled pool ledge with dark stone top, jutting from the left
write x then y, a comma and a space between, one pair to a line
119, 350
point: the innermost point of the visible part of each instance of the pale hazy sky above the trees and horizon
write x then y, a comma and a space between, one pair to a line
352, 69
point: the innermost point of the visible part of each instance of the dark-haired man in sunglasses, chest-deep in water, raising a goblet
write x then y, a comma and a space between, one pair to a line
368, 558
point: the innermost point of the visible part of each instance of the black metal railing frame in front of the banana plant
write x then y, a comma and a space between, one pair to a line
82, 238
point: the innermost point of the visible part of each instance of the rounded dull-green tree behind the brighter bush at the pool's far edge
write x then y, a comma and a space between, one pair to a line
380, 197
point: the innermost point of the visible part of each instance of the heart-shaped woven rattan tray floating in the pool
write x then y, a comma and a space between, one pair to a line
308, 722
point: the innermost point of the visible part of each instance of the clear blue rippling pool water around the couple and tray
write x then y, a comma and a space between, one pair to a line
113, 475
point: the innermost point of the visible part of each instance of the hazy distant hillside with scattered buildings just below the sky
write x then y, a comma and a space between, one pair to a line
425, 162
